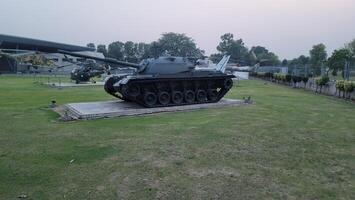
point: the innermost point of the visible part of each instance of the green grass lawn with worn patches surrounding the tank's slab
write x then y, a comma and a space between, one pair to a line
291, 144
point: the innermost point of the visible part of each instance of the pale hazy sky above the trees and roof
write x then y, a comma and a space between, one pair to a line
287, 27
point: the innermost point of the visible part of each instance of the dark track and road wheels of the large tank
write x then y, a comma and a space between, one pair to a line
164, 92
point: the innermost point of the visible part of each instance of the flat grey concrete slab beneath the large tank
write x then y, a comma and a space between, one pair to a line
108, 109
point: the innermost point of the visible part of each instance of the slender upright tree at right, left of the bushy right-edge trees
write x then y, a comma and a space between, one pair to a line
318, 56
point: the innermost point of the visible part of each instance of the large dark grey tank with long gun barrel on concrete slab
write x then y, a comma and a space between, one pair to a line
167, 81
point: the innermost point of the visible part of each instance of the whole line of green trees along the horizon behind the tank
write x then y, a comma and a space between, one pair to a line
176, 44
